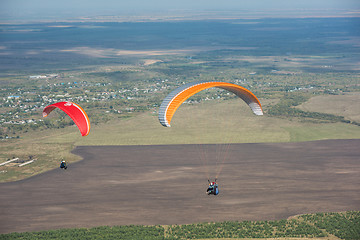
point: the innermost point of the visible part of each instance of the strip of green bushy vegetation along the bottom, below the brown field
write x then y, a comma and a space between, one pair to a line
330, 226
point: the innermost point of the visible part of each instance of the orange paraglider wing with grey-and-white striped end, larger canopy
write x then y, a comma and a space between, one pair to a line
173, 101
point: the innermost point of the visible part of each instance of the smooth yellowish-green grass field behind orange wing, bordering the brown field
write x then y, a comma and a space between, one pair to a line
210, 122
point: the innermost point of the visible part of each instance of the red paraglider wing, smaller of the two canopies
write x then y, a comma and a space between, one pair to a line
77, 114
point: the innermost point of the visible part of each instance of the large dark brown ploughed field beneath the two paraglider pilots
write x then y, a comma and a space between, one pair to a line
165, 185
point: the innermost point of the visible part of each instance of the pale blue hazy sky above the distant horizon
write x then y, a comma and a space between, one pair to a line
76, 8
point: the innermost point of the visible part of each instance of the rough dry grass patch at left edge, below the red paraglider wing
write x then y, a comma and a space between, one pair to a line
43, 146
